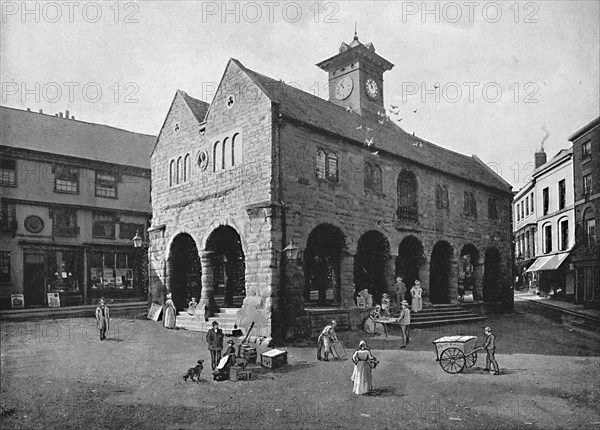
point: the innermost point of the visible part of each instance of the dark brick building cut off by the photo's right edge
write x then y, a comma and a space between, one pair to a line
586, 255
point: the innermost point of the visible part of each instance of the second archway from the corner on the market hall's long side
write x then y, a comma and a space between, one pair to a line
369, 264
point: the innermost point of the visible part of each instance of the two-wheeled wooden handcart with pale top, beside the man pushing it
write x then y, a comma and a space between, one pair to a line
456, 352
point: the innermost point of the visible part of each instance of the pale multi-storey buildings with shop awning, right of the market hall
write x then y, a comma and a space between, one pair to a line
545, 208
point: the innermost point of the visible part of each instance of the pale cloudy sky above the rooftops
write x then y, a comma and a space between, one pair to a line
509, 74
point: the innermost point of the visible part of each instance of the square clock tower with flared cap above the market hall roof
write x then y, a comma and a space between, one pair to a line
356, 77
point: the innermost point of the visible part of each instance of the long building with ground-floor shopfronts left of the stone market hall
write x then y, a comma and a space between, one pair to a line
73, 195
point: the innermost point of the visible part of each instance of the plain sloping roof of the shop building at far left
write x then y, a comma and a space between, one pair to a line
47, 133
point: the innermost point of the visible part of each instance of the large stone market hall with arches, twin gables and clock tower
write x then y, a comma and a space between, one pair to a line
286, 205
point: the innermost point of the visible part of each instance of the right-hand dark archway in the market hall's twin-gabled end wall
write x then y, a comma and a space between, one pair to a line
229, 266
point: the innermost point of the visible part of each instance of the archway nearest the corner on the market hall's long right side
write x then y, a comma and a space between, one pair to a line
322, 265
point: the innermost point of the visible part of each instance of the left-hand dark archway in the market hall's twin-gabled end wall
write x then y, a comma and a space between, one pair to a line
185, 280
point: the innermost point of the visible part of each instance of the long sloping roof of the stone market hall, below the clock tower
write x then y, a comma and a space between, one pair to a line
389, 137
